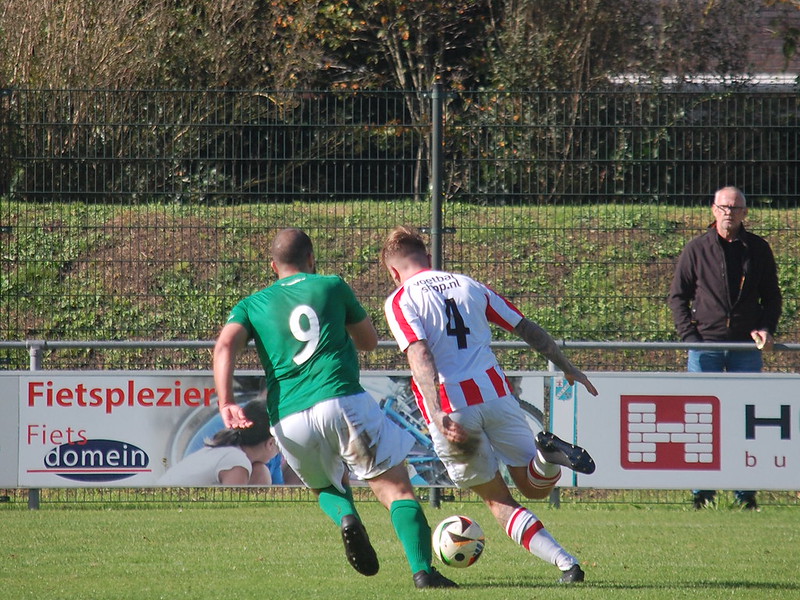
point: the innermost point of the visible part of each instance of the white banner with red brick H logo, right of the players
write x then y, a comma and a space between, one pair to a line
684, 430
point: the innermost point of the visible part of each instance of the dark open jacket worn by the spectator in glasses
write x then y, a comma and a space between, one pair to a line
700, 299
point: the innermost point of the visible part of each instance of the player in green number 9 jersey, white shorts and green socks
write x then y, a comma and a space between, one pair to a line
307, 328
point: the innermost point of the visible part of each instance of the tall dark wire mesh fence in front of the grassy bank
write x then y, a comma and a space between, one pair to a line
145, 215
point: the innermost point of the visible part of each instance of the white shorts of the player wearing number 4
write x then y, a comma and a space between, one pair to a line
502, 433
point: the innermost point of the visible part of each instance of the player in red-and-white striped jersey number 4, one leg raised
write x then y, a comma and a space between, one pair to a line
442, 321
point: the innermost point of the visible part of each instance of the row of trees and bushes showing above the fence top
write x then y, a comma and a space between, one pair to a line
372, 44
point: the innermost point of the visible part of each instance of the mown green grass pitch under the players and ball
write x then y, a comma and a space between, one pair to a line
291, 550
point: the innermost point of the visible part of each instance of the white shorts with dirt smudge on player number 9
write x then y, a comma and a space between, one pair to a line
350, 431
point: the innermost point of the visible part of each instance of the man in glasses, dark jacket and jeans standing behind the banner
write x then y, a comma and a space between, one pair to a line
725, 289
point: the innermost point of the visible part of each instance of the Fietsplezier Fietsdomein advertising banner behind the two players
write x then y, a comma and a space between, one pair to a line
125, 429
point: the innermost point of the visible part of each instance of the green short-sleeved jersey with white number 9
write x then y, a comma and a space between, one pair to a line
298, 324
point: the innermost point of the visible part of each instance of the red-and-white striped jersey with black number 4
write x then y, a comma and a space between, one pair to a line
452, 312
